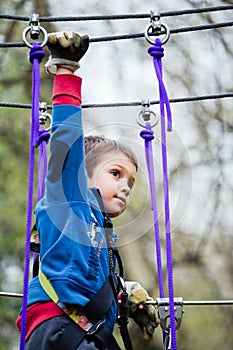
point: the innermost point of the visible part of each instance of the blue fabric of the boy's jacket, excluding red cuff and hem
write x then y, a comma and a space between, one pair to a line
74, 254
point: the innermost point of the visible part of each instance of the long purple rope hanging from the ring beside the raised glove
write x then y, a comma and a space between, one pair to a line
36, 55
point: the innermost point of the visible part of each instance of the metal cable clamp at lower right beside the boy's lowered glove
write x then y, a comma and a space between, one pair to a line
164, 312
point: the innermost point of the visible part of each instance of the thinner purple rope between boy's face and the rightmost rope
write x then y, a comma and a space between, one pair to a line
148, 135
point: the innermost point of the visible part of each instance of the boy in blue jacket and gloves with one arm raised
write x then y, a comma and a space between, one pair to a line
72, 303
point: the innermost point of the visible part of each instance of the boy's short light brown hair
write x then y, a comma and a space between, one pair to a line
97, 146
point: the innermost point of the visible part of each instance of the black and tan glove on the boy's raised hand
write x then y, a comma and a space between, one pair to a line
66, 48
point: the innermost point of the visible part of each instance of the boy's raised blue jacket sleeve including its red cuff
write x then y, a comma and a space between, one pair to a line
66, 180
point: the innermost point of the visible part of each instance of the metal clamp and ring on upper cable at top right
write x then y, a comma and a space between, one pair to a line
155, 28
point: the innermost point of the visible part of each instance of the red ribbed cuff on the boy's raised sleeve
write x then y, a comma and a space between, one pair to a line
67, 90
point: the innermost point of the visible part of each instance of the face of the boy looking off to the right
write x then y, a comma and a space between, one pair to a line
115, 177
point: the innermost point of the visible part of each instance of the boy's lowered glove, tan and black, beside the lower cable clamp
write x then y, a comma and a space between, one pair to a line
145, 315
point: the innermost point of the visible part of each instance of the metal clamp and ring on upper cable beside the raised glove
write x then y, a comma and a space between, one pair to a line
35, 30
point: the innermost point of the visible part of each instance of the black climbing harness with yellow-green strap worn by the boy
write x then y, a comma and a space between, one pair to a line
88, 319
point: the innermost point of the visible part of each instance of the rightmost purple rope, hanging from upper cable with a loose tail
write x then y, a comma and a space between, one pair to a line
157, 52
